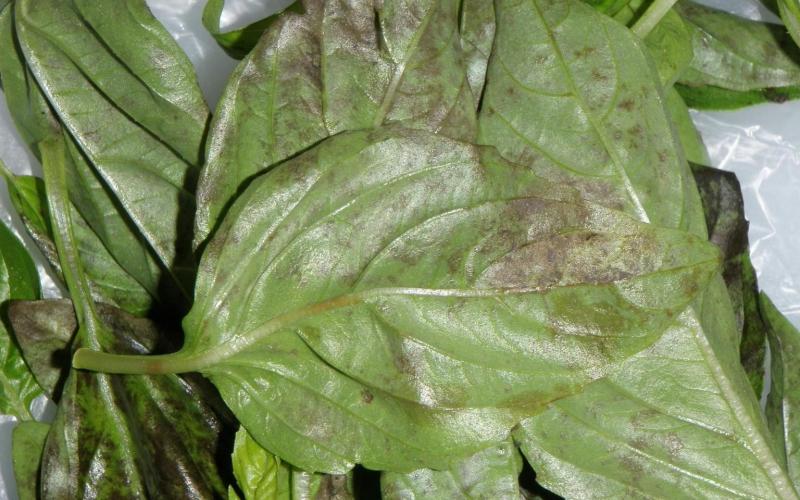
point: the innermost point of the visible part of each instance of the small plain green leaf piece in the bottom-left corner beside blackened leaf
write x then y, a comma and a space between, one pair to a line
27, 444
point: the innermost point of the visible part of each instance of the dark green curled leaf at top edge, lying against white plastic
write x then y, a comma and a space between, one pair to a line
238, 43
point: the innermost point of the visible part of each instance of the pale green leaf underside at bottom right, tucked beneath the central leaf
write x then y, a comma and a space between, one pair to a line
668, 425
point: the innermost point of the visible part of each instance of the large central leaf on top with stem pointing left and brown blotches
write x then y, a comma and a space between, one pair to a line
403, 297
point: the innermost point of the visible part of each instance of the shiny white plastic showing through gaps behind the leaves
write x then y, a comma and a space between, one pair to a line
761, 144
